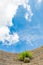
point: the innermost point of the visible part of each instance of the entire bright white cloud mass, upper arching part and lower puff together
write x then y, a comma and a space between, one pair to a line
8, 9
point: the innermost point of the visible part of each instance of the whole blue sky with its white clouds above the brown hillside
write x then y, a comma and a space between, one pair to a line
21, 25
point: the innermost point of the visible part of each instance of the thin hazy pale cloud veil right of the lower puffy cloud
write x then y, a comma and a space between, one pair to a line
30, 38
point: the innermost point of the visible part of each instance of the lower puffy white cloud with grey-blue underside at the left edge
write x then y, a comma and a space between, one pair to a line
7, 38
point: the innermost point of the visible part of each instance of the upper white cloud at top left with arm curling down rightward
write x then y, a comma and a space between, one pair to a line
8, 9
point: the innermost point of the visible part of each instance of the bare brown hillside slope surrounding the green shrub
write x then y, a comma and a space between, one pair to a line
12, 58
